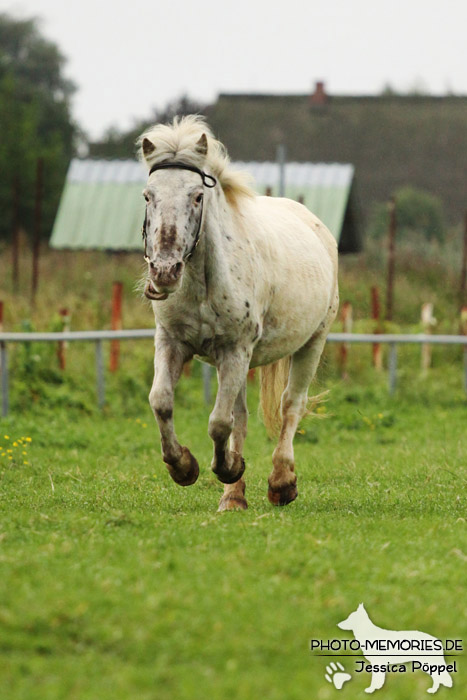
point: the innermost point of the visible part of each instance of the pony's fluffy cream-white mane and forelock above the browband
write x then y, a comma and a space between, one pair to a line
177, 141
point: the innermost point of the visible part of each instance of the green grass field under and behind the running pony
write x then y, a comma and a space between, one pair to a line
117, 584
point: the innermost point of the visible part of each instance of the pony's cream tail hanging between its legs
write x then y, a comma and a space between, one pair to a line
273, 380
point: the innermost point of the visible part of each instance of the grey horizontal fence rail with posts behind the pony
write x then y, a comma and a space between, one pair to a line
97, 337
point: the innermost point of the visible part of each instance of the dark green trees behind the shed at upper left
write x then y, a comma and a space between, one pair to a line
36, 122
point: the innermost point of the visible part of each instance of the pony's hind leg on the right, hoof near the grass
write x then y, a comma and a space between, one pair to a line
282, 480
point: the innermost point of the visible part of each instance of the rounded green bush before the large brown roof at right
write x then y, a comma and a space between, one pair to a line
417, 212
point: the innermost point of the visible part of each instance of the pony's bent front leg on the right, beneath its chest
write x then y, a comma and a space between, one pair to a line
228, 465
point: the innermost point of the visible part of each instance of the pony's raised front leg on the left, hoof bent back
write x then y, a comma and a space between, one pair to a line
169, 358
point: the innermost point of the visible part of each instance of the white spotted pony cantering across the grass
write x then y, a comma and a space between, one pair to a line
240, 281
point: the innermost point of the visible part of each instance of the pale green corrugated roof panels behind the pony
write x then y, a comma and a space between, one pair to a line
102, 207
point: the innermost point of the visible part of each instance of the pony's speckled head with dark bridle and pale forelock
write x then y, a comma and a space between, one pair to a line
185, 162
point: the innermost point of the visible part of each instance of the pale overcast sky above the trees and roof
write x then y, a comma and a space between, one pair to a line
128, 57
